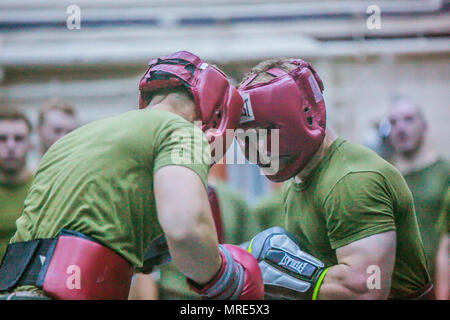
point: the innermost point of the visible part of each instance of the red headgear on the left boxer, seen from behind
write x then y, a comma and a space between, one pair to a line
219, 105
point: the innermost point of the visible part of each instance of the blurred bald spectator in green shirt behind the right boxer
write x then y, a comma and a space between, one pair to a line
427, 176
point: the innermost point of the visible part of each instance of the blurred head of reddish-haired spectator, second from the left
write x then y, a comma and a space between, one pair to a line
56, 119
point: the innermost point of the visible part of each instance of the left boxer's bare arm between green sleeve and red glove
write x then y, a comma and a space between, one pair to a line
185, 217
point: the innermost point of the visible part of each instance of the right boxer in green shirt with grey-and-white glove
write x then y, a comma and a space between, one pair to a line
351, 211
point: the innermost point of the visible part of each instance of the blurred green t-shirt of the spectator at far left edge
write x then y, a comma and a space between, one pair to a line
11, 205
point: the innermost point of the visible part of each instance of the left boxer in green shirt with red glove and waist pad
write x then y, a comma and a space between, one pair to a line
110, 187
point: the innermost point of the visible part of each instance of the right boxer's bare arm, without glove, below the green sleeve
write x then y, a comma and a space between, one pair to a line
364, 269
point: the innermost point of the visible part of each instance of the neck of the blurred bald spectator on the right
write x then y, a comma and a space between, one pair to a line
418, 159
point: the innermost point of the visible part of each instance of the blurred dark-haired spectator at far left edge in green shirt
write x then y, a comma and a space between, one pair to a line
15, 178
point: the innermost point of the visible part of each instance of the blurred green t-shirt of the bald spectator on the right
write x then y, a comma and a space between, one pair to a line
428, 186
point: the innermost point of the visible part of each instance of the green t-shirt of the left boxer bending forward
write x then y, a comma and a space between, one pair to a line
98, 180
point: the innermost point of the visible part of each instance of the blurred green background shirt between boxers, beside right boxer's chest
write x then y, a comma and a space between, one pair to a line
268, 212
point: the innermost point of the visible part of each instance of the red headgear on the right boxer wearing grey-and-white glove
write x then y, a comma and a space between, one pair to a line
291, 102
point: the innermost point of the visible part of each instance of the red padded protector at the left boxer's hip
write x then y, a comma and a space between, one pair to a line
81, 269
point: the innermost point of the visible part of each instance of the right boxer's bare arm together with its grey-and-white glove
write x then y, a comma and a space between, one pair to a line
363, 271
